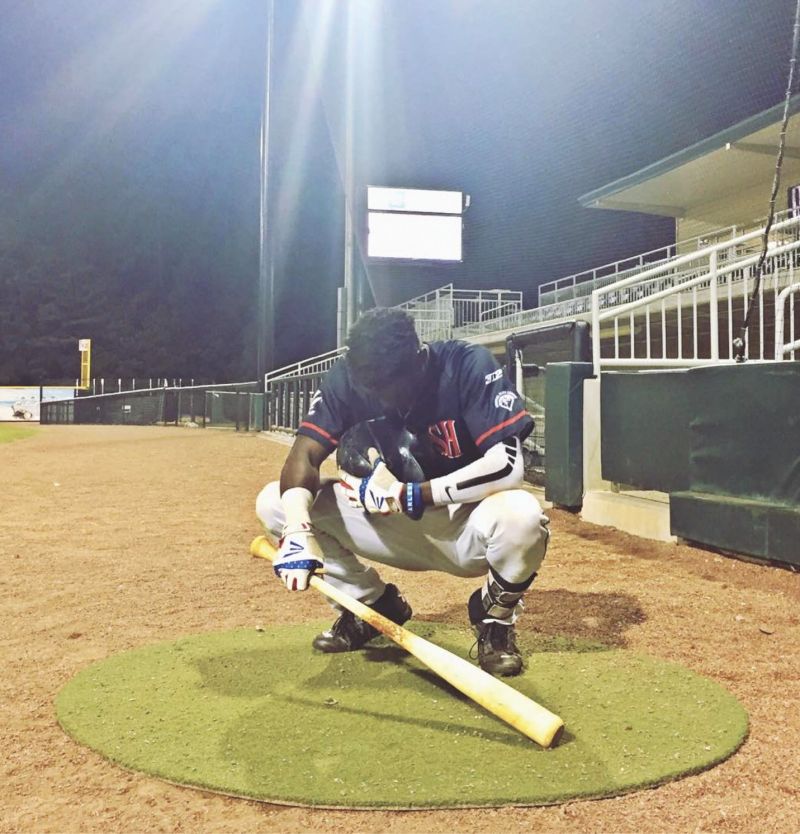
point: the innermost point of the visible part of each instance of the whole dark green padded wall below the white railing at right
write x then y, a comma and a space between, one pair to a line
724, 441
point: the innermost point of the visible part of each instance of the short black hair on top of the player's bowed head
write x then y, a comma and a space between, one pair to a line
382, 345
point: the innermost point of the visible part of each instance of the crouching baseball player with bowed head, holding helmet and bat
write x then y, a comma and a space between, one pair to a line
430, 476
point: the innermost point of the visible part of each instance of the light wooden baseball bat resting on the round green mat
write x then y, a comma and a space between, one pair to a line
525, 715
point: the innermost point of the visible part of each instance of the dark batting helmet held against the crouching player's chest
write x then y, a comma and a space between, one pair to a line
399, 448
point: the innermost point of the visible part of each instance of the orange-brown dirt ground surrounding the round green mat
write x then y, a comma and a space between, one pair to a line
116, 537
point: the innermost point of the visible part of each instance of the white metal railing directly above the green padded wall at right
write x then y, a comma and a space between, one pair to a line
680, 313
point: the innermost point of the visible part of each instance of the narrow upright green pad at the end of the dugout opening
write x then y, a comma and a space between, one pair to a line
564, 432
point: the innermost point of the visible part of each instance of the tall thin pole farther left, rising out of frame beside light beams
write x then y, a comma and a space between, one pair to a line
265, 355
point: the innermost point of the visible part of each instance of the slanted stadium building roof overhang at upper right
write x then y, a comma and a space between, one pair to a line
692, 181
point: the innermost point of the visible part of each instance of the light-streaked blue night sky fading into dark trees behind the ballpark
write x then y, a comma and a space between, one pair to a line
129, 155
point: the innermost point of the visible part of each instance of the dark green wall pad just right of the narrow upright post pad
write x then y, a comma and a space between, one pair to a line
644, 421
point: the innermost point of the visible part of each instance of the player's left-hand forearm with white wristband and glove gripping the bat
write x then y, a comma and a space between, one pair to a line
299, 553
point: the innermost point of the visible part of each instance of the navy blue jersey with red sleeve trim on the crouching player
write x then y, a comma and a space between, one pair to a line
466, 404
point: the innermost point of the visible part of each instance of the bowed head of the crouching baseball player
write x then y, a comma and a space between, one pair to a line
385, 357
